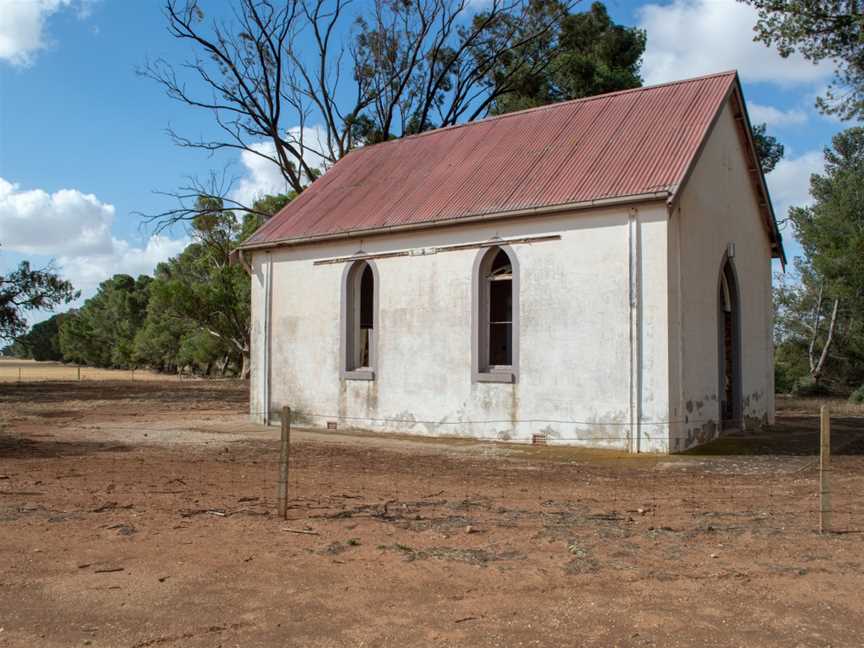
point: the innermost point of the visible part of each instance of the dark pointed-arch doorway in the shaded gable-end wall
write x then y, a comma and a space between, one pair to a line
729, 346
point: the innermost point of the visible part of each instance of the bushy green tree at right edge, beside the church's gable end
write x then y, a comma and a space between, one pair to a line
822, 316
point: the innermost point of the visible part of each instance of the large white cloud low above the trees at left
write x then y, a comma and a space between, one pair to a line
75, 229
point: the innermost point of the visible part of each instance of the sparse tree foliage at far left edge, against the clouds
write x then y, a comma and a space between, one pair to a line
24, 290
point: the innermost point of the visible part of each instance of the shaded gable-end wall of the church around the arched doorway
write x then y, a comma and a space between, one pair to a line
718, 206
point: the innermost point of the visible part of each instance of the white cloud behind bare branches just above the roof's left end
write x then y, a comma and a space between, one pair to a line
263, 177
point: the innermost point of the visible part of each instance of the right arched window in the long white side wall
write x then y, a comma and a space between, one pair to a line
496, 316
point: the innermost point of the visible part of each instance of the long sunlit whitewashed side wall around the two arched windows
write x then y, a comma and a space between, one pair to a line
575, 348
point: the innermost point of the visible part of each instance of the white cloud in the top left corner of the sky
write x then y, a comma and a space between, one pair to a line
22, 27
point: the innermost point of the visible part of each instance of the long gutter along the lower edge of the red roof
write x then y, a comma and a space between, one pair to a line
458, 220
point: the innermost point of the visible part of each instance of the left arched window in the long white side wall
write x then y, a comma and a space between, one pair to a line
359, 314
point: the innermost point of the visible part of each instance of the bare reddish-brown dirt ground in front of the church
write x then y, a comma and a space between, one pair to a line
142, 514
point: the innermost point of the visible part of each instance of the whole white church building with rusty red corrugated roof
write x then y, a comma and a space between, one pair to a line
595, 272
